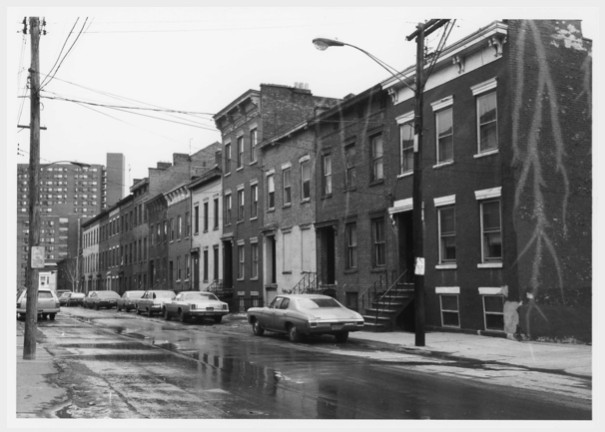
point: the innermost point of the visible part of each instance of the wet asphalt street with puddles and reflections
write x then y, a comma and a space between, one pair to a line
120, 365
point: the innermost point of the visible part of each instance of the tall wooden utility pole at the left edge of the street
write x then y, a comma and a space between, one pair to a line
31, 318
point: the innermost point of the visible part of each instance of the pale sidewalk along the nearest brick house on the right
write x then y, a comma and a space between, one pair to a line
573, 359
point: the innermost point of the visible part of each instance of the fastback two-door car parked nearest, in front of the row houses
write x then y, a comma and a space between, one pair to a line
305, 314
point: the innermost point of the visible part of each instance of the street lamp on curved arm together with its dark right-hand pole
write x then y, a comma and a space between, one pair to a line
422, 30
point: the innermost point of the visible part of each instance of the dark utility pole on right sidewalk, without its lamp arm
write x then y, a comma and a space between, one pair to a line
422, 30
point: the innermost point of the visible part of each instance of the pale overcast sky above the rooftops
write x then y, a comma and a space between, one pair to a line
196, 60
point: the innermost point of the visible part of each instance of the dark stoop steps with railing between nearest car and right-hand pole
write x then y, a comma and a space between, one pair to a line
387, 304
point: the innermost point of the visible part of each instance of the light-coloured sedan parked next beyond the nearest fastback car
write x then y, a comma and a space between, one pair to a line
195, 304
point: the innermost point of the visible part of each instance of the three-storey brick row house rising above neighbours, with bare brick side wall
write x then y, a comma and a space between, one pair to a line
245, 124
